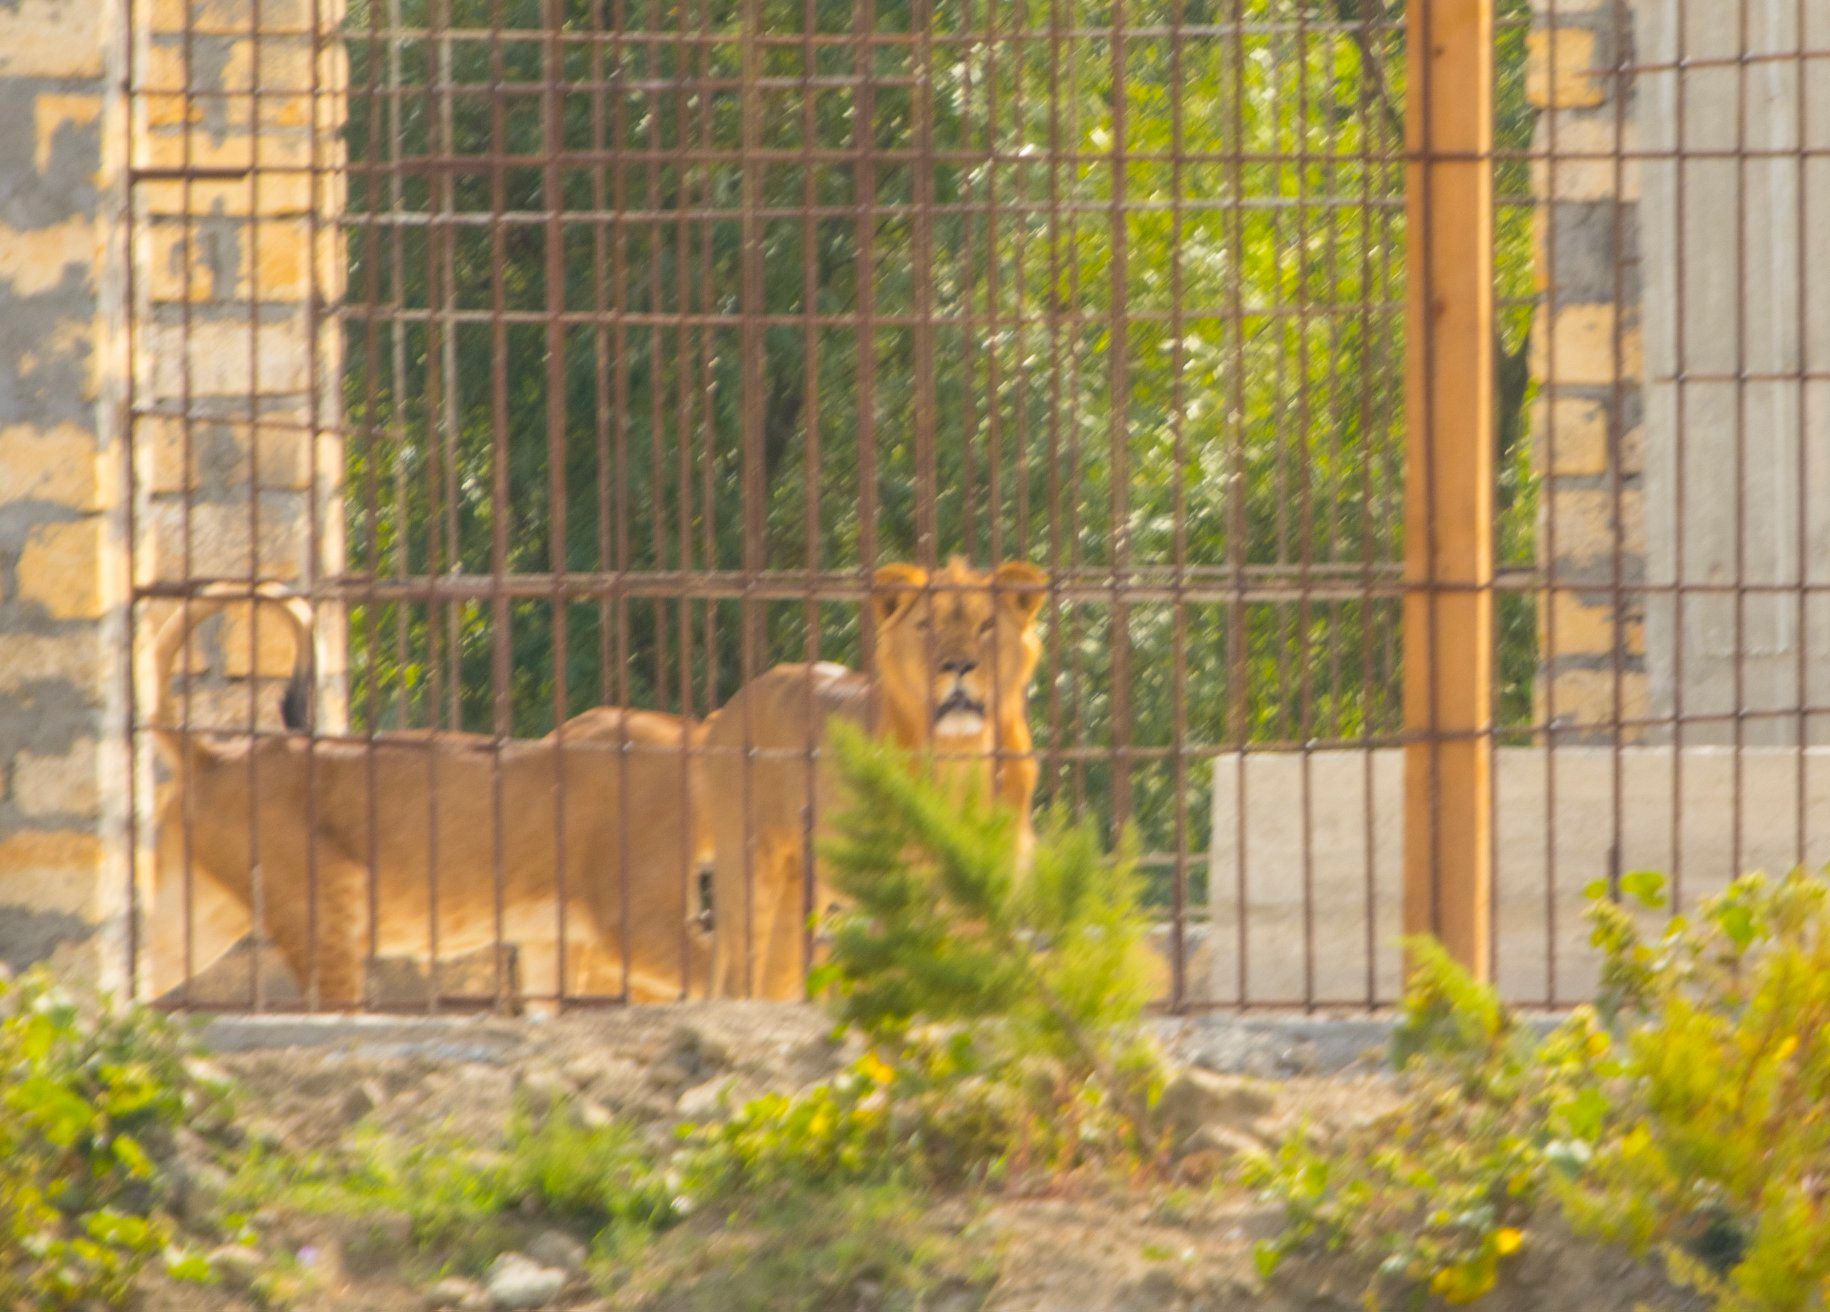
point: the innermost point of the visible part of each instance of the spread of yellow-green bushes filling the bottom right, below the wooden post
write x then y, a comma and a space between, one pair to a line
1685, 1115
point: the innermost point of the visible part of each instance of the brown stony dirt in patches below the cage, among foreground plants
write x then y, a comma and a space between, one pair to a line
1073, 1251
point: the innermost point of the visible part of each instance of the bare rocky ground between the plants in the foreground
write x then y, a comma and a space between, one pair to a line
1079, 1249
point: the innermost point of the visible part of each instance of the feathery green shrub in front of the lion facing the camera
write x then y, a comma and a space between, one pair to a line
998, 996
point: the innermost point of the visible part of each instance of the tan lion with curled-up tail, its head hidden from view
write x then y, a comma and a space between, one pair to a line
424, 881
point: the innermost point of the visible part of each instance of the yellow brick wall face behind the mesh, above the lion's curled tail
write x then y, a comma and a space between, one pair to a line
239, 369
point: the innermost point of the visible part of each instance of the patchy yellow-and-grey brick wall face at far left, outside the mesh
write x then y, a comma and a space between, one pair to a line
63, 665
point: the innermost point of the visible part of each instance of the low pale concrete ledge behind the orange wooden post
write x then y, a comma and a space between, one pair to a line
1317, 907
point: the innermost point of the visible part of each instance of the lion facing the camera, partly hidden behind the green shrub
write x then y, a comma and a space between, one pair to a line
956, 654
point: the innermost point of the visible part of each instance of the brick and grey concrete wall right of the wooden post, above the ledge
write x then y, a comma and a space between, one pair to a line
1686, 189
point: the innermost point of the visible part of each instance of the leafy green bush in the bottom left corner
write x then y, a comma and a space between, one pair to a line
92, 1095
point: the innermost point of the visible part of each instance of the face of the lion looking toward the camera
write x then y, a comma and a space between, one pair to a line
956, 649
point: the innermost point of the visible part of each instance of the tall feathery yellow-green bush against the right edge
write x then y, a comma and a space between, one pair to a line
1719, 1134
